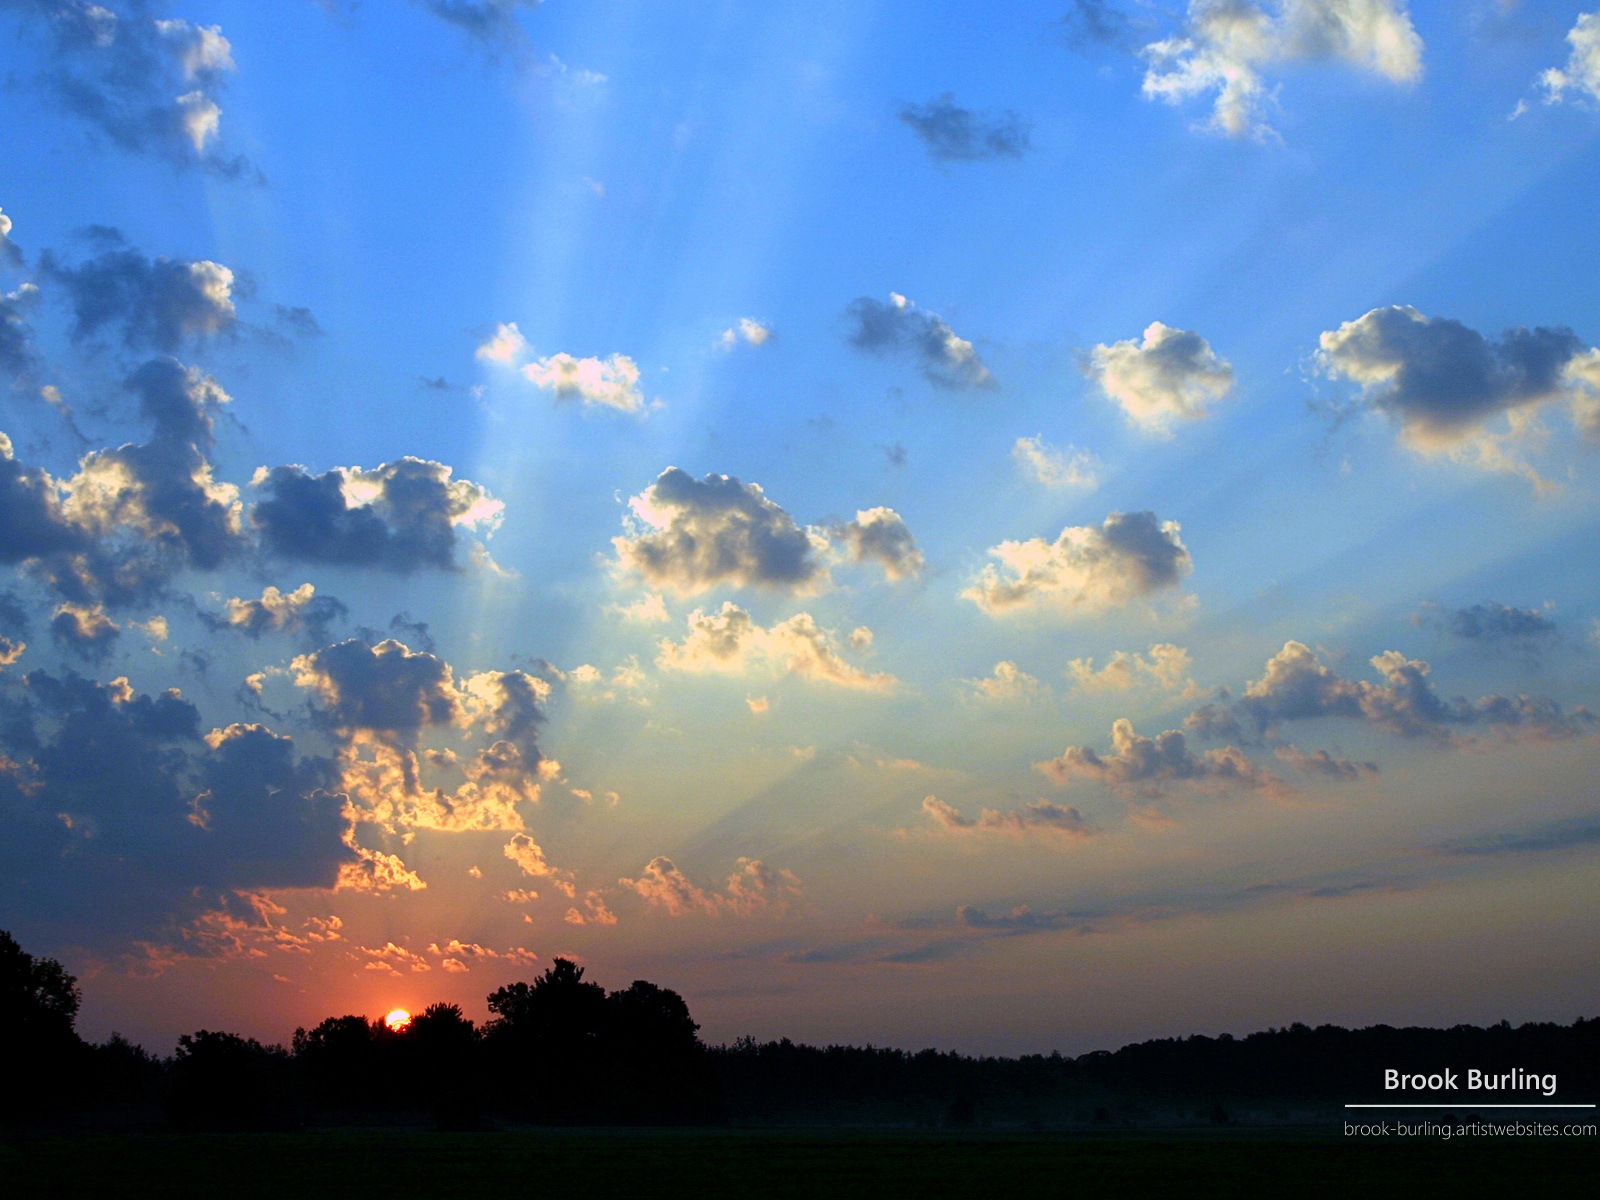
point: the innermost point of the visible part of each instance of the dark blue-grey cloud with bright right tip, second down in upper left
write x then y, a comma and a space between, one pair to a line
154, 303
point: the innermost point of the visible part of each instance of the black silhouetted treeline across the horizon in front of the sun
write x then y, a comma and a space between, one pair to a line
562, 1050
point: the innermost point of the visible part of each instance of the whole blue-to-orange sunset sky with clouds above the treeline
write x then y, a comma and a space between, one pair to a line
1001, 530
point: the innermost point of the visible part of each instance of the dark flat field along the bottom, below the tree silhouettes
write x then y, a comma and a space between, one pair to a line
396, 1166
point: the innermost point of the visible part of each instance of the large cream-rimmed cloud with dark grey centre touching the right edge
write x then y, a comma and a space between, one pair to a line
1444, 383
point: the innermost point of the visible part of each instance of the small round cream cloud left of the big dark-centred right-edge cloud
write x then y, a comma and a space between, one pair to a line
1172, 375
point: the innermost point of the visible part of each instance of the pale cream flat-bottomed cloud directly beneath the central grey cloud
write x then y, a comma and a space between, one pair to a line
729, 641
